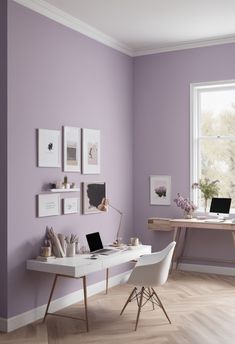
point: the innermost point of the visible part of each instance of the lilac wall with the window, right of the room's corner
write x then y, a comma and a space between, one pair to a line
161, 136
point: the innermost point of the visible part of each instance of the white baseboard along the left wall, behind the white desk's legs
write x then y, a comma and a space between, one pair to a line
11, 324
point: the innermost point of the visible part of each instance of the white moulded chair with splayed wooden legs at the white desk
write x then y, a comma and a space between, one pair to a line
151, 270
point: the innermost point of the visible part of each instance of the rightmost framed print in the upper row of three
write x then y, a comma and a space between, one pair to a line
90, 151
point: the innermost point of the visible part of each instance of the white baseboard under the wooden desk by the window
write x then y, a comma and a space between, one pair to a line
210, 269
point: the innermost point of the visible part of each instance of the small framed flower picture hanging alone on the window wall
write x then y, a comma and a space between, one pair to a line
160, 190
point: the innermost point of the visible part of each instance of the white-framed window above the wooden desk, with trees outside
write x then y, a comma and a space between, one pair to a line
213, 137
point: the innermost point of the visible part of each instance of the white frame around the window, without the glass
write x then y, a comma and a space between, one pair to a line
195, 89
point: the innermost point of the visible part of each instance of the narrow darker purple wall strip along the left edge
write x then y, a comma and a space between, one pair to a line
3, 145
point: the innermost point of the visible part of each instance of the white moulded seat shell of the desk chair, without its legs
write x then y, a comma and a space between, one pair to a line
153, 269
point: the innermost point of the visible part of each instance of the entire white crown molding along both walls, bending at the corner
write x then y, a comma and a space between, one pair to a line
52, 12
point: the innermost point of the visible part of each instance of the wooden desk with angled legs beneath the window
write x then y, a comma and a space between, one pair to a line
176, 225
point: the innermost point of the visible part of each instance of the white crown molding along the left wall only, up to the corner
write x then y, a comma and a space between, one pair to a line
52, 12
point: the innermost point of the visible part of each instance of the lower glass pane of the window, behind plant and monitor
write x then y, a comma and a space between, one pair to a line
218, 162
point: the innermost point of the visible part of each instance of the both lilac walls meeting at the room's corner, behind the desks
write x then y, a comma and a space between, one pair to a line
60, 77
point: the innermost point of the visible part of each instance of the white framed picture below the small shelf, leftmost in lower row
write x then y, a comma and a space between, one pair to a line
48, 205
